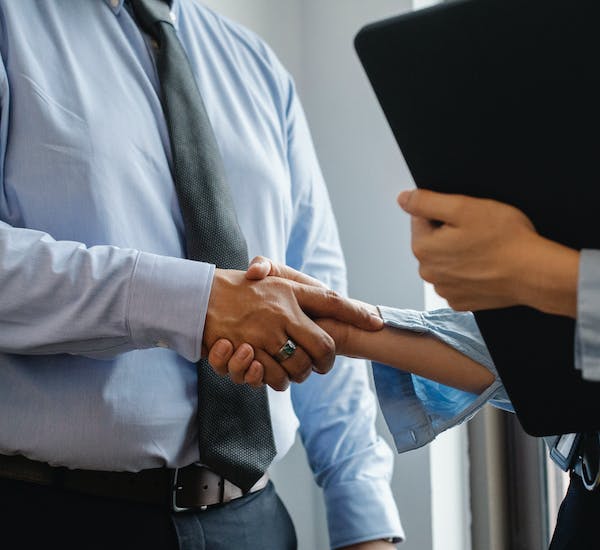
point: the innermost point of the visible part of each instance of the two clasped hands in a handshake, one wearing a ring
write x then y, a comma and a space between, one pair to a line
274, 325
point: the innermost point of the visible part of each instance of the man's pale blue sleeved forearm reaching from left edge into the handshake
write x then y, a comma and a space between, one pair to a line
62, 297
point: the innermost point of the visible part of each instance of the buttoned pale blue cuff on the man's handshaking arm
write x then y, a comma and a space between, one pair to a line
168, 303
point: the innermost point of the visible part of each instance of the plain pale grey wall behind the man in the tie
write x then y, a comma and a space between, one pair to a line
365, 172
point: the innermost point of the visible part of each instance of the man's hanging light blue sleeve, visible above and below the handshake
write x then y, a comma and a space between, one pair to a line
337, 411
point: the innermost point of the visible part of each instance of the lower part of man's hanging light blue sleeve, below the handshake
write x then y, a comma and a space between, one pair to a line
351, 463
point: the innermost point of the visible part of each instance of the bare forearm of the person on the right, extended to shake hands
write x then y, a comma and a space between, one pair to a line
422, 355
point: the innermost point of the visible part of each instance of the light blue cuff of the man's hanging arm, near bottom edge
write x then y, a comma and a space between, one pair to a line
361, 511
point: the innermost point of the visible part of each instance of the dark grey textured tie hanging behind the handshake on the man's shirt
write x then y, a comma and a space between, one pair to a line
235, 433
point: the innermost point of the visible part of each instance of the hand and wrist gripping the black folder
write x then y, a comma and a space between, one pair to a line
483, 254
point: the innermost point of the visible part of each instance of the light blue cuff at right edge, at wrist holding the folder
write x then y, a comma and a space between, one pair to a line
587, 334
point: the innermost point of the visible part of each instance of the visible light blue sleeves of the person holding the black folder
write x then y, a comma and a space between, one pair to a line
417, 410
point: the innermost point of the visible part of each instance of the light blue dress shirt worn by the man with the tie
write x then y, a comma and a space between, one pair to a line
101, 317
